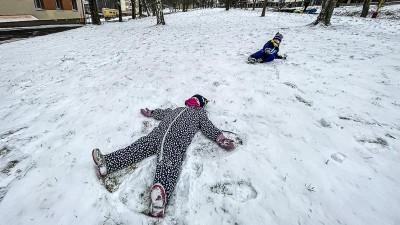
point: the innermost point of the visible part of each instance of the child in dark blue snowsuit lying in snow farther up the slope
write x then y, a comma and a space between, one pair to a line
269, 51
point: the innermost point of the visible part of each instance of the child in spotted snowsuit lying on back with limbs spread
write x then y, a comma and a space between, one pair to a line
169, 142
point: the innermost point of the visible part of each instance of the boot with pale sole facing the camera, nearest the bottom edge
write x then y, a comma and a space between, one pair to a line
158, 200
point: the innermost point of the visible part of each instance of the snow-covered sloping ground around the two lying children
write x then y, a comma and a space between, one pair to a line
320, 131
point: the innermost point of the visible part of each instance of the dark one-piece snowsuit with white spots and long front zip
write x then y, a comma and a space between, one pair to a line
169, 141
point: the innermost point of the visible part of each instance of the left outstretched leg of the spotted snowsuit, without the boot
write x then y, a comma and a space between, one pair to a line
142, 148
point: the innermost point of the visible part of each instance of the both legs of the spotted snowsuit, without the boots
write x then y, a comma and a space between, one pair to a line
168, 164
